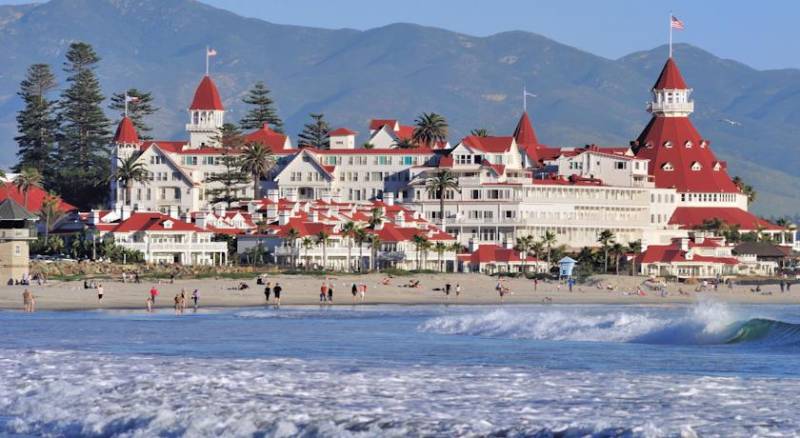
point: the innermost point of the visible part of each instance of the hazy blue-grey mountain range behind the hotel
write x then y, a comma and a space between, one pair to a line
401, 70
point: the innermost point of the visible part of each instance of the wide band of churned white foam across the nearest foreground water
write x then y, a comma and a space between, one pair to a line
72, 393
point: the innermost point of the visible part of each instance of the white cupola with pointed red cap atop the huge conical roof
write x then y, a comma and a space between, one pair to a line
670, 94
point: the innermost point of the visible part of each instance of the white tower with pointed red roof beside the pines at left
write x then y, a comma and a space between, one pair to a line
206, 115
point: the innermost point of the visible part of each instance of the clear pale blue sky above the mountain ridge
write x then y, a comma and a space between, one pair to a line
761, 34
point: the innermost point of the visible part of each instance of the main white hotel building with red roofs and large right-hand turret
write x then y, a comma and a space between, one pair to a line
655, 190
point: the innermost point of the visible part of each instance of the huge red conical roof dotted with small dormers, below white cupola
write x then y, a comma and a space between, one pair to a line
673, 146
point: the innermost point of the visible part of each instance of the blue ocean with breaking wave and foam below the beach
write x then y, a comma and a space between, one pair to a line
707, 369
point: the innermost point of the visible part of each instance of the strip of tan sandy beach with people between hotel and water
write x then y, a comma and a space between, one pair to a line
304, 290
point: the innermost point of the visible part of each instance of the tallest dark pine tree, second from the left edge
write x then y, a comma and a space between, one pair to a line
83, 148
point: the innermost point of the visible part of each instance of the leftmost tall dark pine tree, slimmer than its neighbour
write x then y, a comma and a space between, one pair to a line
37, 123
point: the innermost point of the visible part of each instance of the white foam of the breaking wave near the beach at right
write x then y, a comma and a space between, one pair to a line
706, 322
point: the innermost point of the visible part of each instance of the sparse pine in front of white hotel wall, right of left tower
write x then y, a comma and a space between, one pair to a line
232, 178
